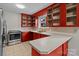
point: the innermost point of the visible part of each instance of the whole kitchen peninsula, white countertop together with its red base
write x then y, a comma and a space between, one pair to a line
55, 44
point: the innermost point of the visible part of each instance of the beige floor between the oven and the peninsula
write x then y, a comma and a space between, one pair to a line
22, 49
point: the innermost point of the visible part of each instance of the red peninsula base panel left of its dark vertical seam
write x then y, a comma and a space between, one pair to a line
56, 52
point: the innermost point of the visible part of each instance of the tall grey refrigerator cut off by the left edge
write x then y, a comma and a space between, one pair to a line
1, 32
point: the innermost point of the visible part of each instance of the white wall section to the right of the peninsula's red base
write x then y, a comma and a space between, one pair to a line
74, 44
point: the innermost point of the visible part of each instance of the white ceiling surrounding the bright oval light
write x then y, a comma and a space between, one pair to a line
30, 7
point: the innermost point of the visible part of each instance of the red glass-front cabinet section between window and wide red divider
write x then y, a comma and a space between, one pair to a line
53, 15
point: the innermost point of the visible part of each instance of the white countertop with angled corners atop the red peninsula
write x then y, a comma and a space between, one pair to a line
48, 44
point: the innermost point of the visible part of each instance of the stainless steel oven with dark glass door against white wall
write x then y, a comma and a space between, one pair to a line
14, 36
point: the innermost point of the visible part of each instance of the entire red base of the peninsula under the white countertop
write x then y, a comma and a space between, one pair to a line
60, 51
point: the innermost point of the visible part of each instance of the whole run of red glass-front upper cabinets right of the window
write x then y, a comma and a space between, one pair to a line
63, 15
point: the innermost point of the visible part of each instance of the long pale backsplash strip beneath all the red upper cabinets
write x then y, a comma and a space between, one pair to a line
55, 29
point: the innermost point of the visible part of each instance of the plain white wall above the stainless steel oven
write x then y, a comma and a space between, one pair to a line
13, 20
